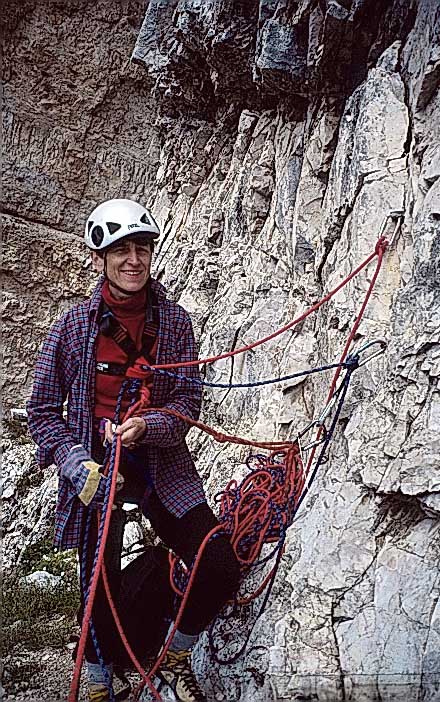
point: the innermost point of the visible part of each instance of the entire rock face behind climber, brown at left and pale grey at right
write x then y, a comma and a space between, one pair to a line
284, 134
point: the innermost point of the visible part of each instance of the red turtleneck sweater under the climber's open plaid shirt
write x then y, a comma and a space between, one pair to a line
131, 313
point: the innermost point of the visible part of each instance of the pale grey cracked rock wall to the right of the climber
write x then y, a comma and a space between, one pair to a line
355, 613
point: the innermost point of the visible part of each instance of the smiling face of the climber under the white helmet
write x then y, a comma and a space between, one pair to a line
127, 265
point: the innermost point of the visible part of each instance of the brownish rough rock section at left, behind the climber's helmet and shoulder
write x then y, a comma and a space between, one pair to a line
74, 132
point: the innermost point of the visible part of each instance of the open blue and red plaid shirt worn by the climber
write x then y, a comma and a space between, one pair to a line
66, 369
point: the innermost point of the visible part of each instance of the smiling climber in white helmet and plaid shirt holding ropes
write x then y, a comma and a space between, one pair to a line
90, 351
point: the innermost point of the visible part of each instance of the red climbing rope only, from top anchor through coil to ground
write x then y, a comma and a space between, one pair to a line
257, 492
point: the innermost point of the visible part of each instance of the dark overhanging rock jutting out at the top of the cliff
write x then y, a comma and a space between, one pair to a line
201, 55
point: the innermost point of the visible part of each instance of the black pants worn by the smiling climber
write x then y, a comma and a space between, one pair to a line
216, 581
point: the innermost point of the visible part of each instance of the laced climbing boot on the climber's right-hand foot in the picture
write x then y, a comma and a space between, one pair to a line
176, 671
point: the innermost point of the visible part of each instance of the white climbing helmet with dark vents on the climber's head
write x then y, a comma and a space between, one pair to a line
115, 219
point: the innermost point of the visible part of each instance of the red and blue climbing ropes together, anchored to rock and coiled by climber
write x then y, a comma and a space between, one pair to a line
260, 509
